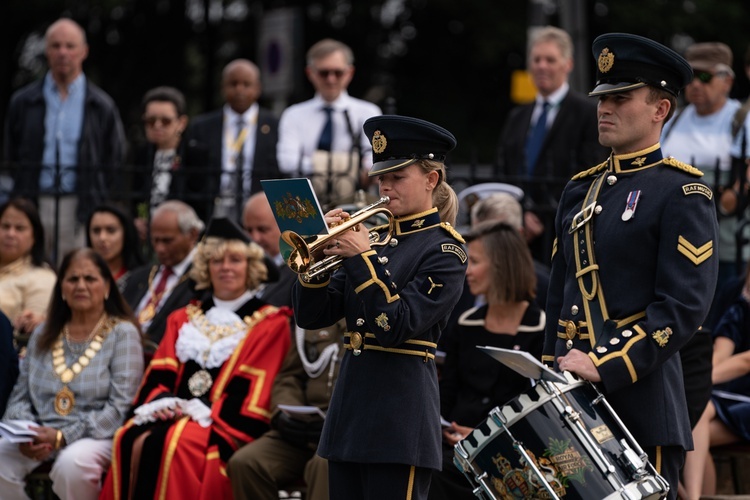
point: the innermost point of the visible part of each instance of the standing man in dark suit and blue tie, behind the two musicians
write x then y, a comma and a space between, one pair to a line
541, 155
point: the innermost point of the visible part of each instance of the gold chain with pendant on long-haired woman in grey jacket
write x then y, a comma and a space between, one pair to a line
65, 399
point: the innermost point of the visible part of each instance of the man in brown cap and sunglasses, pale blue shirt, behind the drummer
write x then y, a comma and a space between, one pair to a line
701, 134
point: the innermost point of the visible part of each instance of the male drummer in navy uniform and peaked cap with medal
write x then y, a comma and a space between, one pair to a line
634, 266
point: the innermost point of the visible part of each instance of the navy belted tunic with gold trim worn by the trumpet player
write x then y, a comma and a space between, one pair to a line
385, 407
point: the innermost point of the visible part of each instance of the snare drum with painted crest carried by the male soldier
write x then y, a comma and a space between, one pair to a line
557, 441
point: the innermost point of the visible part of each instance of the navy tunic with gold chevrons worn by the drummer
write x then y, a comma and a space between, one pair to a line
657, 275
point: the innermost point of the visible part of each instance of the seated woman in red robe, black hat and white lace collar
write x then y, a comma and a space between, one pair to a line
207, 390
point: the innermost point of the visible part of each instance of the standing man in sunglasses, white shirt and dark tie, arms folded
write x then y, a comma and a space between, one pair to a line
322, 137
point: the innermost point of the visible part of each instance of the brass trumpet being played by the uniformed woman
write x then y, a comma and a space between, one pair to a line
307, 257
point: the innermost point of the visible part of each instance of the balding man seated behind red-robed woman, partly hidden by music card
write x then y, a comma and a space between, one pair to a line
260, 224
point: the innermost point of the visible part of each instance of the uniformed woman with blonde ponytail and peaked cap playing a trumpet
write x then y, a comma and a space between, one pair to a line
382, 432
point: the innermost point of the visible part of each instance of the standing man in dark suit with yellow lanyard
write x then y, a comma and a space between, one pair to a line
239, 141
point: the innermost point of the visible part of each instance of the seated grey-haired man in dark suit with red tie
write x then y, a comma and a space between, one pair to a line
153, 292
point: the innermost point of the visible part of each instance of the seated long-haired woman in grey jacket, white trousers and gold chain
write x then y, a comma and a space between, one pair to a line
81, 371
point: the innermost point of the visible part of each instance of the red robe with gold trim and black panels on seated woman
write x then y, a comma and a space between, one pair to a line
181, 459
